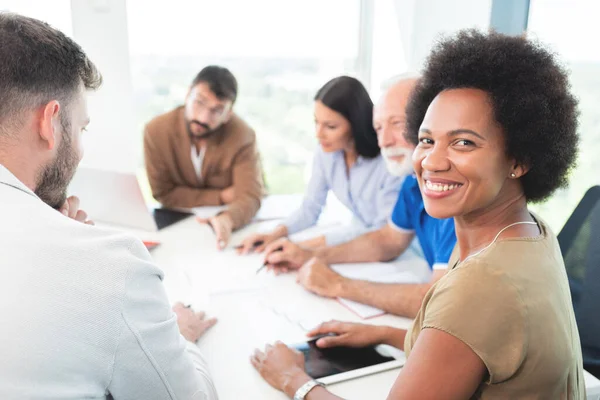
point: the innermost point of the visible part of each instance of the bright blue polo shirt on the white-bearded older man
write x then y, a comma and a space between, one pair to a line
436, 236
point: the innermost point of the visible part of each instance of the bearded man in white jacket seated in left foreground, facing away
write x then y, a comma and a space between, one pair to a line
84, 311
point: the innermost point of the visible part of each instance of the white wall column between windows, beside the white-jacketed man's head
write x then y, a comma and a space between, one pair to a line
100, 27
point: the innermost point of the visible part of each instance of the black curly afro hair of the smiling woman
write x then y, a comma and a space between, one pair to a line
530, 96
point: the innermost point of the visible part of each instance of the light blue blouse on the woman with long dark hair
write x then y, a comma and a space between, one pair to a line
369, 191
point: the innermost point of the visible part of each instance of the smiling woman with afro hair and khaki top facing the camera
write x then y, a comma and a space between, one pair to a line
495, 126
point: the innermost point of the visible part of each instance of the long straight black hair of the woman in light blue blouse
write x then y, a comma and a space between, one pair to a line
347, 96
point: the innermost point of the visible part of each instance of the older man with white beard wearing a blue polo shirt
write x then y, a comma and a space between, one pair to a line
409, 219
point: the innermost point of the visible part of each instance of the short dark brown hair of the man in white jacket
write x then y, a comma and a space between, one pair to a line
38, 64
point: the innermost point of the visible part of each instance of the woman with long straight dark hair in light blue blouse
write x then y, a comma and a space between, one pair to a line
348, 163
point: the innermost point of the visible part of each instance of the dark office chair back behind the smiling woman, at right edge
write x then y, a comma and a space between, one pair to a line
580, 245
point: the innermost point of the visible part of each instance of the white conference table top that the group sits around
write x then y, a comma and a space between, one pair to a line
253, 310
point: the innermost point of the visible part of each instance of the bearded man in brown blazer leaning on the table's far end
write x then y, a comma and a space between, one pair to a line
203, 154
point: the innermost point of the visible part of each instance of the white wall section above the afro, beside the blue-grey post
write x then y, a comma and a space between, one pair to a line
421, 22
